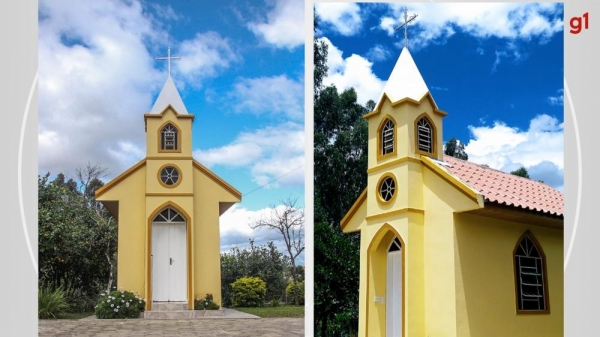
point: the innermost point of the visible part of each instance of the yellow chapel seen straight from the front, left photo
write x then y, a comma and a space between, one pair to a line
168, 207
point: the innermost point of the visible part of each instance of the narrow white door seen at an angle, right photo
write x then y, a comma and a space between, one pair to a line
393, 295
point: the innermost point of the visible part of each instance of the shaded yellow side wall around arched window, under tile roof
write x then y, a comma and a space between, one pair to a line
486, 295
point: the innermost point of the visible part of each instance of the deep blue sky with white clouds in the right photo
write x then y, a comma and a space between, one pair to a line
496, 69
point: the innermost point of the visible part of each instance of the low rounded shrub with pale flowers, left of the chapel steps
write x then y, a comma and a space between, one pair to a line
119, 304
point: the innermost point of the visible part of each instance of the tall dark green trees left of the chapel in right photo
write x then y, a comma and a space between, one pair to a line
340, 165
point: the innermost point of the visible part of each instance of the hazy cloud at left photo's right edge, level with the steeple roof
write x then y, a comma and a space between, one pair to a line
277, 95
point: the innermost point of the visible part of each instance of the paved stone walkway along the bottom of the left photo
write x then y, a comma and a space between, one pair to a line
267, 327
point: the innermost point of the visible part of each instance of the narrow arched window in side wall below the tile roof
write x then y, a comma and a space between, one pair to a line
530, 275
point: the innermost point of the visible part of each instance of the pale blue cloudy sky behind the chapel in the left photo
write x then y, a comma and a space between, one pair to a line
241, 73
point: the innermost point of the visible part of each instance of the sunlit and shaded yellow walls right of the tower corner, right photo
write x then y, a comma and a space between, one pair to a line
470, 284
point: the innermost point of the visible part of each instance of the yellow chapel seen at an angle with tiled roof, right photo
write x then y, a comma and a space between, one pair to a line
449, 247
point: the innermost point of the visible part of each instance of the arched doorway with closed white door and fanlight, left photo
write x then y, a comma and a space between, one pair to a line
169, 258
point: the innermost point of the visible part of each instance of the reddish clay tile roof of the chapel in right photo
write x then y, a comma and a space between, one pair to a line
507, 189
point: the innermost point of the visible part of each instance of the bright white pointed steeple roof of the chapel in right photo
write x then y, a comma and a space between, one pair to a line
405, 80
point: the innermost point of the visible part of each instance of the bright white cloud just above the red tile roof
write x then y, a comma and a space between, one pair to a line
539, 149
